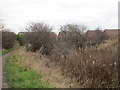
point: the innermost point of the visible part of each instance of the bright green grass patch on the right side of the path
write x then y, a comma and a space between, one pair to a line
17, 77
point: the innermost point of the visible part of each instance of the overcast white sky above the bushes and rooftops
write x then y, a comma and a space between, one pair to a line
18, 13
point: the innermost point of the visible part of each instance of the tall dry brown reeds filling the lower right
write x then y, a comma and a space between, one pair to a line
95, 67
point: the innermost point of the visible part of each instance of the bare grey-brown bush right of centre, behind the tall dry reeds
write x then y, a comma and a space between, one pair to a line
71, 38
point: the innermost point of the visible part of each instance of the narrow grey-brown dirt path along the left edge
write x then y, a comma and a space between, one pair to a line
2, 72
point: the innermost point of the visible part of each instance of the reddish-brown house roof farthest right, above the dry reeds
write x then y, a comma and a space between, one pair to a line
111, 33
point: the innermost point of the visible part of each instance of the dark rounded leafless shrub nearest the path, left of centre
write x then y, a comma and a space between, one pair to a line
39, 38
